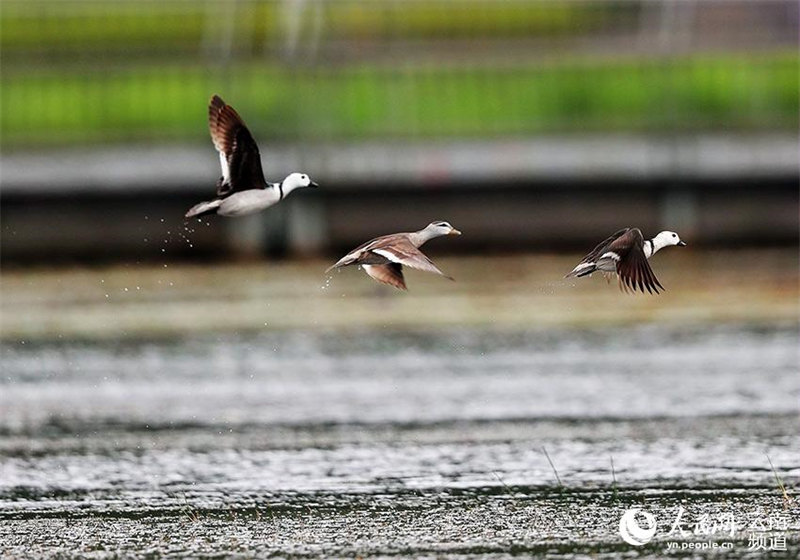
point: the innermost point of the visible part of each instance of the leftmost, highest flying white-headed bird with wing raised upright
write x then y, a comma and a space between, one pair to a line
242, 189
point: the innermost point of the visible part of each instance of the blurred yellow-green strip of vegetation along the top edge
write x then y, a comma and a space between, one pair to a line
45, 25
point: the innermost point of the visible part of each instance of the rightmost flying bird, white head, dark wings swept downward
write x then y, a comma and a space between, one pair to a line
625, 253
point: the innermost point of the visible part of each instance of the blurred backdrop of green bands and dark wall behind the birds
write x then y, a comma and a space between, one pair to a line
530, 124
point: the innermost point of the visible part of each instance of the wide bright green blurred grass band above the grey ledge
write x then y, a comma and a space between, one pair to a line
167, 102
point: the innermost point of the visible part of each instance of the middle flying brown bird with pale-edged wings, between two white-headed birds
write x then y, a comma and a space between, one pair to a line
383, 258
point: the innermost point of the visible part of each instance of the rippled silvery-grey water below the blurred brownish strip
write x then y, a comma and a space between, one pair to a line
398, 444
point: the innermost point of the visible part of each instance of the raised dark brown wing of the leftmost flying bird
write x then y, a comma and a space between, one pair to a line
239, 156
